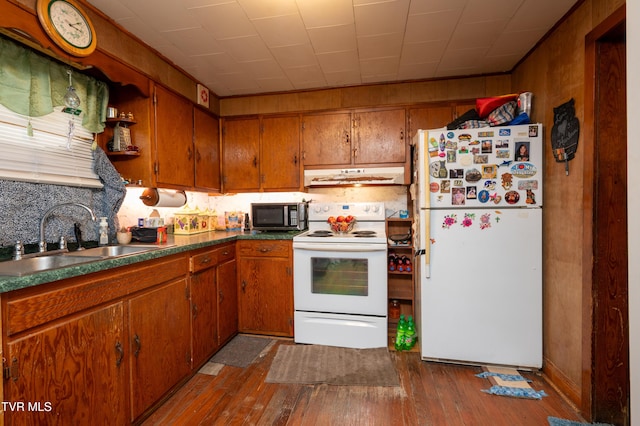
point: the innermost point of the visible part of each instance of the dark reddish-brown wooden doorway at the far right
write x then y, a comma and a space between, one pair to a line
606, 354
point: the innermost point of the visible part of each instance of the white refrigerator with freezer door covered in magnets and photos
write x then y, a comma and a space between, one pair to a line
478, 234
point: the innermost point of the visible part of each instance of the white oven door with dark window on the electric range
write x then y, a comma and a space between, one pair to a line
348, 278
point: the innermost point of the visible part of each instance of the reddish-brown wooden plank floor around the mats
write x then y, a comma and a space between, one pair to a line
430, 394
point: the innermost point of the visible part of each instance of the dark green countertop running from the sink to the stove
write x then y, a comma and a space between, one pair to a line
175, 244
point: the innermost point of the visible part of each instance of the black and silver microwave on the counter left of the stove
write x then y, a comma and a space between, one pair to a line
279, 216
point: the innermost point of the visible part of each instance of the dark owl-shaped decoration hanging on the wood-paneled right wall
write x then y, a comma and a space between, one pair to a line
565, 133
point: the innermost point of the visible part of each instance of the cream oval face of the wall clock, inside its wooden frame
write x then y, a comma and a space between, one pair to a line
70, 24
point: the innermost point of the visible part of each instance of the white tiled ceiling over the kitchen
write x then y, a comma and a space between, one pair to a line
238, 47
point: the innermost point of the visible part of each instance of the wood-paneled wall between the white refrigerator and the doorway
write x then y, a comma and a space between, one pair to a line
555, 73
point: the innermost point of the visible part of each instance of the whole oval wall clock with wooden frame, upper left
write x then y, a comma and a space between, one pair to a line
68, 25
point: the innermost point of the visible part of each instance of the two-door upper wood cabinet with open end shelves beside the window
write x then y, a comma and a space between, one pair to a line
178, 143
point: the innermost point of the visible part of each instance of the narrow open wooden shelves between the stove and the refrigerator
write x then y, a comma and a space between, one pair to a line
400, 277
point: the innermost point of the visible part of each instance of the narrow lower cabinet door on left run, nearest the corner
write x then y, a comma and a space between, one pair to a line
227, 301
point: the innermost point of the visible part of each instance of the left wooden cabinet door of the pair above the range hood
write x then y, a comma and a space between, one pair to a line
326, 139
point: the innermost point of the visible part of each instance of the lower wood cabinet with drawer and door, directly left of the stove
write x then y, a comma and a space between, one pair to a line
265, 287
